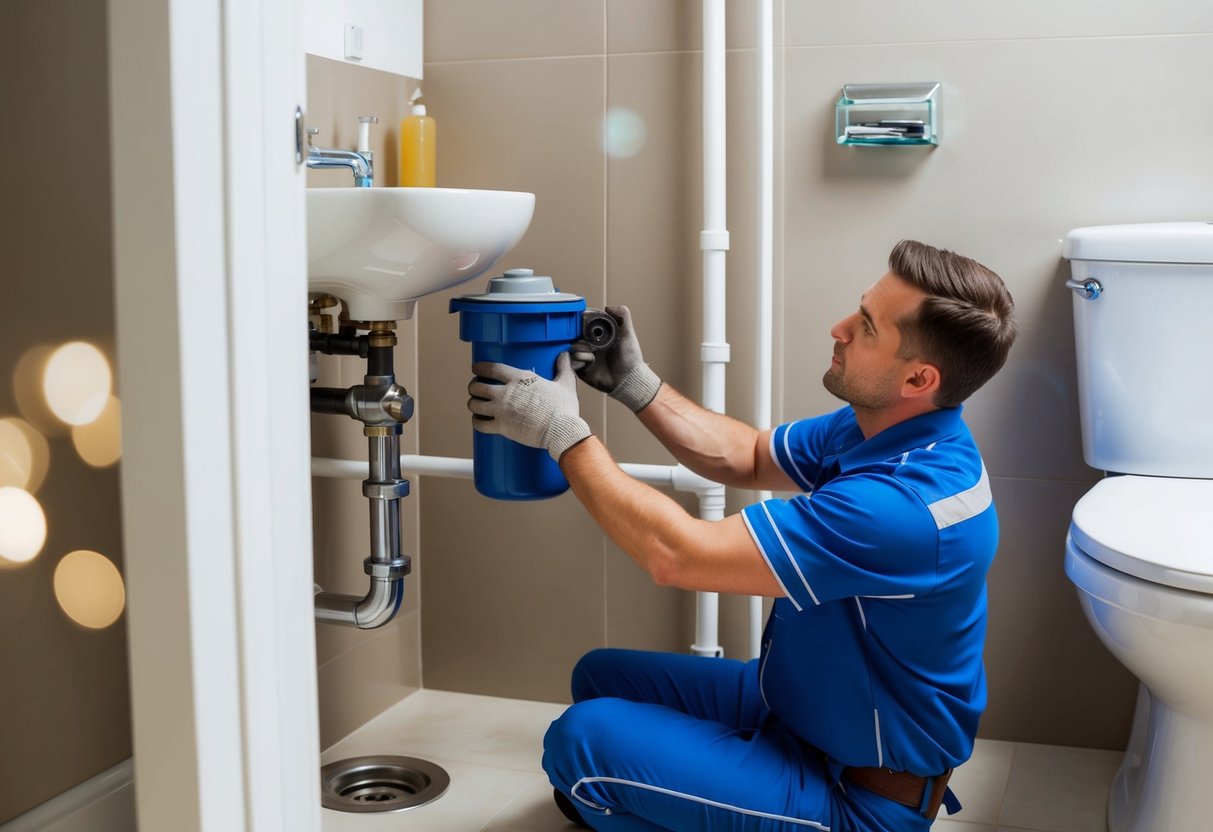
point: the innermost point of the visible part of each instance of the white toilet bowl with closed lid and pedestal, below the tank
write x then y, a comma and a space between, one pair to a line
1141, 555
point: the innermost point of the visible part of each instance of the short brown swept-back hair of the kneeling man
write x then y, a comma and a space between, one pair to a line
964, 327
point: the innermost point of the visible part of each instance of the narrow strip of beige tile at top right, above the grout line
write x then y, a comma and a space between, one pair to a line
933, 21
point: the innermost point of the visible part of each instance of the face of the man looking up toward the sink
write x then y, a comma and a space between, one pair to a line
865, 371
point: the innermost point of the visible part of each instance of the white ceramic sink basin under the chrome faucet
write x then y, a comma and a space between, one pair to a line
381, 249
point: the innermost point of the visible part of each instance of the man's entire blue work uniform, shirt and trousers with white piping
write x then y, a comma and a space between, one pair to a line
872, 659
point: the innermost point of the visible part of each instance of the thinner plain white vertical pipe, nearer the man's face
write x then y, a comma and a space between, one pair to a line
766, 254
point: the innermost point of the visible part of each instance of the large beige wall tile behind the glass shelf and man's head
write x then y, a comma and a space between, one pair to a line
1005, 197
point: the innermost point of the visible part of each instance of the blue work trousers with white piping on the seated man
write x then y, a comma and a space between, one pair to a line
673, 743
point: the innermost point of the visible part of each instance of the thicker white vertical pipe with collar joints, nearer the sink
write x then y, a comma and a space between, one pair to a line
715, 243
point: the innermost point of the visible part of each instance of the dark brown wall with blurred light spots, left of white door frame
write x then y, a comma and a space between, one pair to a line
64, 697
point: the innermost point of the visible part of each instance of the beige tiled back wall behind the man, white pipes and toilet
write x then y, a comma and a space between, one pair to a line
1056, 116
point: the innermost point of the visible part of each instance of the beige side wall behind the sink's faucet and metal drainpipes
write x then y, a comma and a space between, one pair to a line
361, 673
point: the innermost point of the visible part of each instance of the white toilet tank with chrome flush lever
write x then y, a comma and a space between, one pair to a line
1143, 320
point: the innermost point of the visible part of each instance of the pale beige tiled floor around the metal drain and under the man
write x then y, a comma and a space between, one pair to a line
492, 750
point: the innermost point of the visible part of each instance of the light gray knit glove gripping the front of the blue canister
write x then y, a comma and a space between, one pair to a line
528, 408
